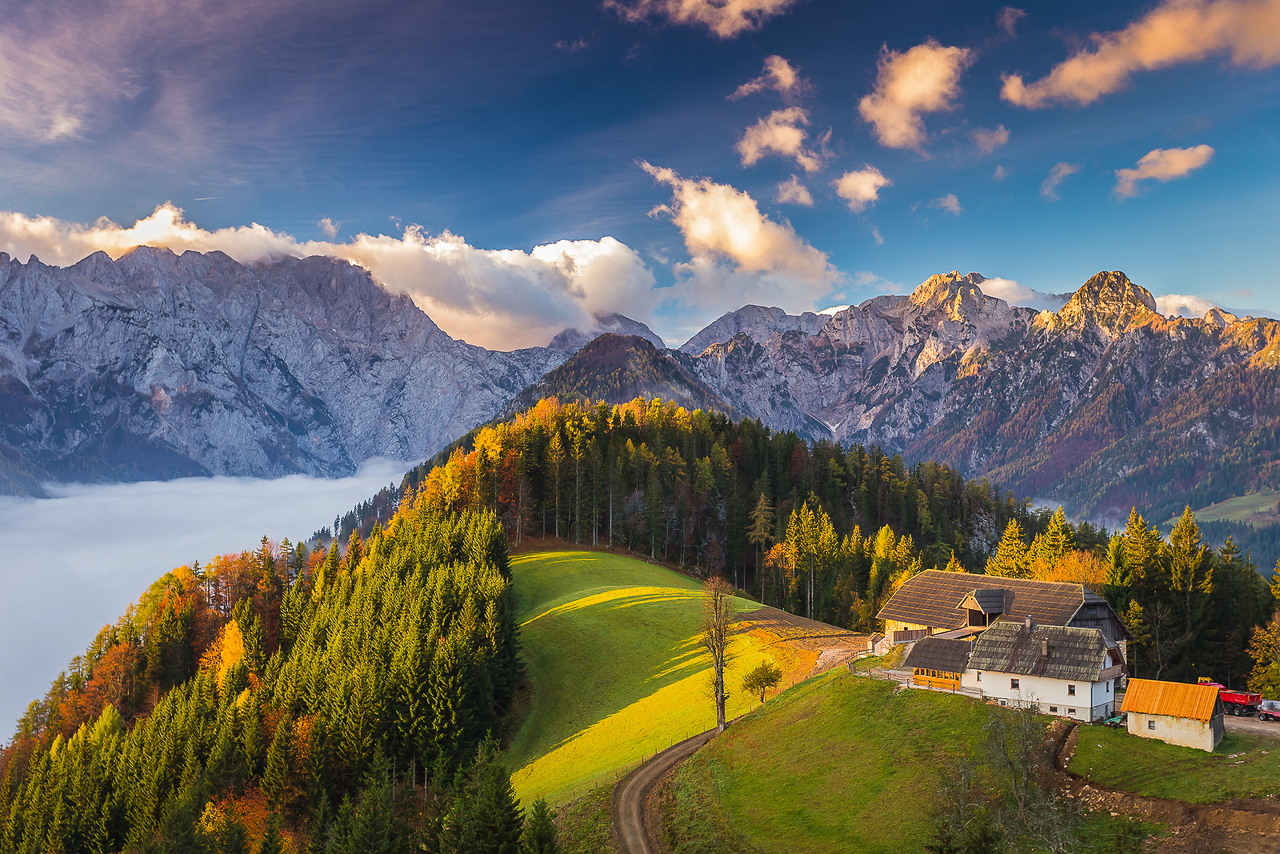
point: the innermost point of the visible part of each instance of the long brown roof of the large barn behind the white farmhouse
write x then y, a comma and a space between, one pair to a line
934, 599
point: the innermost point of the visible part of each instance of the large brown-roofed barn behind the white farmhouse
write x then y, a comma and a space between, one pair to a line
963, 605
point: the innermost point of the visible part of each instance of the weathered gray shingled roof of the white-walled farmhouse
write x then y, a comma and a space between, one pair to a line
1012, 649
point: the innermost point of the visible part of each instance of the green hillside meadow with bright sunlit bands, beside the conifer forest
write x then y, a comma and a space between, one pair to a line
611, 647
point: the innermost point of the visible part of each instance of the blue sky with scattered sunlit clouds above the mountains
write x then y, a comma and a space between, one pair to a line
522, 167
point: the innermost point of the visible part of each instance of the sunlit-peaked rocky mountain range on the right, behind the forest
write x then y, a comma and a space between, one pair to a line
1066, 405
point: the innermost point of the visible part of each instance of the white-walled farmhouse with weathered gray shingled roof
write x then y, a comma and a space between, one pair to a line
1062, 670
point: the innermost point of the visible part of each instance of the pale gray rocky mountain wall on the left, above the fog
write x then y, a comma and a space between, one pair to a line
159, 366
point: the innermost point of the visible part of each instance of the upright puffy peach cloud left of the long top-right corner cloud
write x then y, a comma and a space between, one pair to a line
924, 80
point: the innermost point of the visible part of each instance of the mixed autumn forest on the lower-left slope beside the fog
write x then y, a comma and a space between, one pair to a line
303, 702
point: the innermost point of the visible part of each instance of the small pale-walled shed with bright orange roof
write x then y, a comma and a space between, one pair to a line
1176, 713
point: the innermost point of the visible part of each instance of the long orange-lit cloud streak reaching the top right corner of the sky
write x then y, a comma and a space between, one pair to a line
1177, 31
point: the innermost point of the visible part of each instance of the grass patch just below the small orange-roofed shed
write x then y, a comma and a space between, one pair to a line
1244, 766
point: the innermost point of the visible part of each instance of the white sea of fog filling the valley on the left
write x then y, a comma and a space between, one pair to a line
74, 563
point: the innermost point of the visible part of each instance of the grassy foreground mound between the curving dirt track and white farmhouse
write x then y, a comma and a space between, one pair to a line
842, 764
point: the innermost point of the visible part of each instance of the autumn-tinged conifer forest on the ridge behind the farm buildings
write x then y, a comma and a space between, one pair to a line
831, 533
